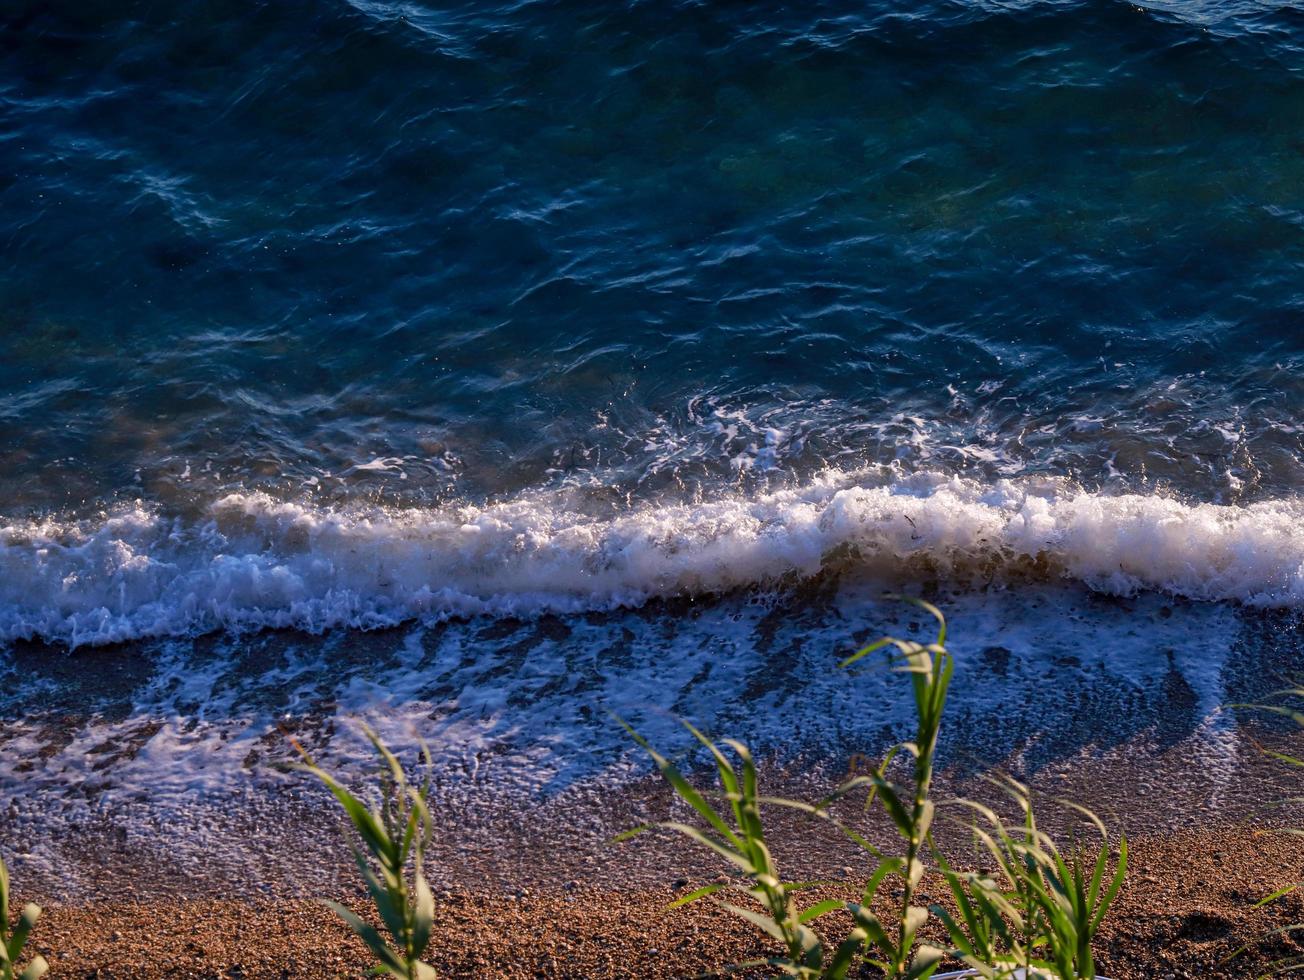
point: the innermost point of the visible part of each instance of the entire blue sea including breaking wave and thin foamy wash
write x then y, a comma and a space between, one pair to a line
482, 371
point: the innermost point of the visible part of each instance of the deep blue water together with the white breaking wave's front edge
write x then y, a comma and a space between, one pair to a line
297, 295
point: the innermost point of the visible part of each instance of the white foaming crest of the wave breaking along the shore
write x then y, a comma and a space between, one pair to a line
252, 561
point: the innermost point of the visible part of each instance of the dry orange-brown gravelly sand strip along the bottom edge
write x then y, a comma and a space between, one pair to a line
1185, 910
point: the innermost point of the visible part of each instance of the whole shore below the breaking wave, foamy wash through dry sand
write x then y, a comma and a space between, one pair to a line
177, 827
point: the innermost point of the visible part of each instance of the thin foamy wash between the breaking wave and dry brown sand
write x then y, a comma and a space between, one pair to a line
179, 751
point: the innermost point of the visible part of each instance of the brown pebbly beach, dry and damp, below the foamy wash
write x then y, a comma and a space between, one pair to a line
556, 900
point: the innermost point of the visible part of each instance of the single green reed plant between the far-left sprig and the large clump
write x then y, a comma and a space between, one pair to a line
394, 835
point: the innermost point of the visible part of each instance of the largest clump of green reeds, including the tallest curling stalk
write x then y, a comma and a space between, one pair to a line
1039, 917
